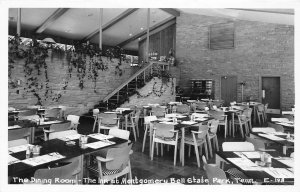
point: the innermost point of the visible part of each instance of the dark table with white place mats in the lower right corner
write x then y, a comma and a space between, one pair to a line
280, 170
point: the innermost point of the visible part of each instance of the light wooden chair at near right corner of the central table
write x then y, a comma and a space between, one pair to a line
197, 139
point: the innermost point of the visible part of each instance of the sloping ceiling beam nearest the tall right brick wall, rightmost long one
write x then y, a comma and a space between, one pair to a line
161, 25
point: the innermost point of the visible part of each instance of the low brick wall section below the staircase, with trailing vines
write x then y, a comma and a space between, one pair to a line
166, 97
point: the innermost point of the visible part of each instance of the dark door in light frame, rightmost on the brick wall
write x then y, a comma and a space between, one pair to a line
271, 92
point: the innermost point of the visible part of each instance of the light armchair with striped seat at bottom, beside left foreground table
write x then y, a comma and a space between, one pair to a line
112, 163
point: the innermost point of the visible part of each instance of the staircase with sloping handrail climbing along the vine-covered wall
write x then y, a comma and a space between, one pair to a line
129, 87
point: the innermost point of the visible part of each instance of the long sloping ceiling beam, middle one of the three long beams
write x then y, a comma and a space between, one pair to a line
112, 22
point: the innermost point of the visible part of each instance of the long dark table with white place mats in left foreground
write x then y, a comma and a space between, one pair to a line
55, 151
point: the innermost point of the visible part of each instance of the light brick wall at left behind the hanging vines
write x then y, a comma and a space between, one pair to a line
79, 101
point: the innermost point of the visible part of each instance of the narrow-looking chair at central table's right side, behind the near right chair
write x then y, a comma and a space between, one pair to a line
212, 135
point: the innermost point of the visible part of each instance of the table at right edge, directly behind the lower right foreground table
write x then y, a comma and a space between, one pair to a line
279, 138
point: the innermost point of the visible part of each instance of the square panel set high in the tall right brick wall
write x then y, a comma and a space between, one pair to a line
221, 36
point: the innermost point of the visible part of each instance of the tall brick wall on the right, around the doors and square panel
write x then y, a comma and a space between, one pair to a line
261, 49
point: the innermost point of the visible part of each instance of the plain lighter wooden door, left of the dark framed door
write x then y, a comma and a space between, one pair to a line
228, 89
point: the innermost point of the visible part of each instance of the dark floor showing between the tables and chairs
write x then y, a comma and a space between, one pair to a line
161, 168
